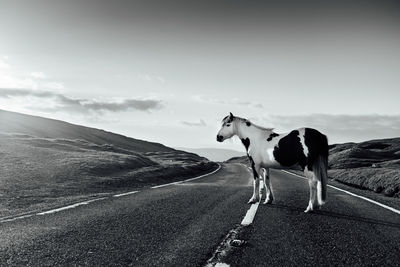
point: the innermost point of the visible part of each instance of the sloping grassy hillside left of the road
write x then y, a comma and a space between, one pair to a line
47, 163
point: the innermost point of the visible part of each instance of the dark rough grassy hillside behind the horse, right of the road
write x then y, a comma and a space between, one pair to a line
372, 165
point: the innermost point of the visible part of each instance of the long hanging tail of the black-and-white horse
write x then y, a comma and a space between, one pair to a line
320, 168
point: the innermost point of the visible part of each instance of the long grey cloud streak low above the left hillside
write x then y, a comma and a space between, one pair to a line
62, 102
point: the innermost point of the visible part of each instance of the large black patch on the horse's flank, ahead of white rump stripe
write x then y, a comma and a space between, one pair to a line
289, 151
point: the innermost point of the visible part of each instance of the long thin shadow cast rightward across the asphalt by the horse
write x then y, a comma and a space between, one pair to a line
336, 215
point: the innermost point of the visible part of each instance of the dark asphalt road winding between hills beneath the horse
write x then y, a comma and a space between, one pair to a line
183, 224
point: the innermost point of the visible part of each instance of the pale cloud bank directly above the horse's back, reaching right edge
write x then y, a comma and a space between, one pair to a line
339, 128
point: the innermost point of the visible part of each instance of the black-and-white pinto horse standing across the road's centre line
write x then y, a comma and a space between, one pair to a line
304, 147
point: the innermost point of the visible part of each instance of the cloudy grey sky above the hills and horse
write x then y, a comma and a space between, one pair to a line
169, 71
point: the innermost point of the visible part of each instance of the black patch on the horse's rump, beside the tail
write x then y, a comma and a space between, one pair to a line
317, 144
